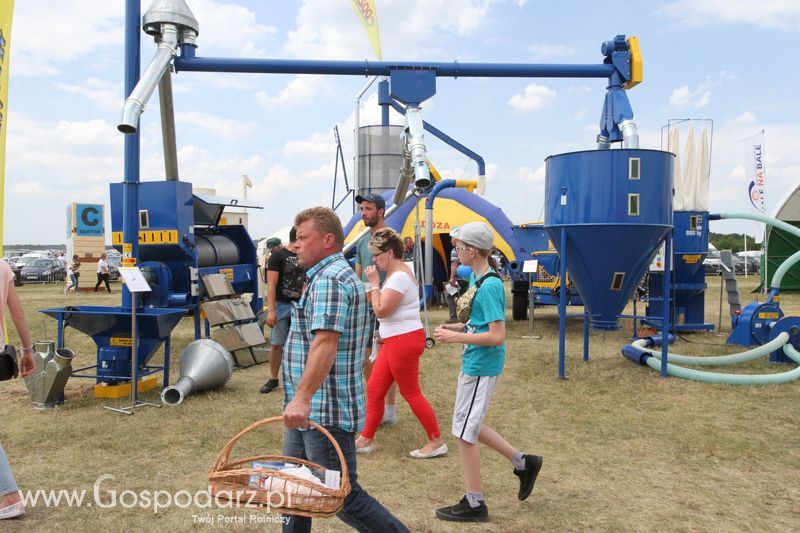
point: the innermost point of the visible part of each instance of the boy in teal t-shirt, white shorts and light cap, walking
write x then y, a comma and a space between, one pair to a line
482, 332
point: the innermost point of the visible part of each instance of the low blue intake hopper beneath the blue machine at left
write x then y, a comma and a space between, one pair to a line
101, 323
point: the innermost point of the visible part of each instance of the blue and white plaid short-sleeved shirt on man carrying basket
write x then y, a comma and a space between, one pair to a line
334, 300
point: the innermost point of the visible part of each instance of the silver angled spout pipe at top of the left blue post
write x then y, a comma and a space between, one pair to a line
134, 104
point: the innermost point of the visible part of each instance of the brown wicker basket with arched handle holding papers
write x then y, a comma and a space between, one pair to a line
229, 481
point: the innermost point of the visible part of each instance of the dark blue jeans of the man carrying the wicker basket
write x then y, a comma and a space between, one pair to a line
361, 511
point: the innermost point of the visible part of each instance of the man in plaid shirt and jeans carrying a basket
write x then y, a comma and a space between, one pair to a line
322, 366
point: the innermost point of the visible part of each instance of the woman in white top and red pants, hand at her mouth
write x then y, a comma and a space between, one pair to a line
396, 305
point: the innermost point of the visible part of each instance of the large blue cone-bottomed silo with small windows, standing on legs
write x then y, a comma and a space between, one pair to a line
615, 207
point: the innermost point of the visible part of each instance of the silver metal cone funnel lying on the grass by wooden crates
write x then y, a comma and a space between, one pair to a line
205, 365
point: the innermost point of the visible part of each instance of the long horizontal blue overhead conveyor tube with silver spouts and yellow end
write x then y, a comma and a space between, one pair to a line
411, 83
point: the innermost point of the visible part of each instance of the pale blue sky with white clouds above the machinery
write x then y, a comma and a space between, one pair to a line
729, 61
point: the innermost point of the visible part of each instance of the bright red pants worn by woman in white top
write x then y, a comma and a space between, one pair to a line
398, 360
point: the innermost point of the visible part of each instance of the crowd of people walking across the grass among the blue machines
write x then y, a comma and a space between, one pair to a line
335, 326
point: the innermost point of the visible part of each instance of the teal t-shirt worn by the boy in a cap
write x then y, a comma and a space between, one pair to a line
488, 306
